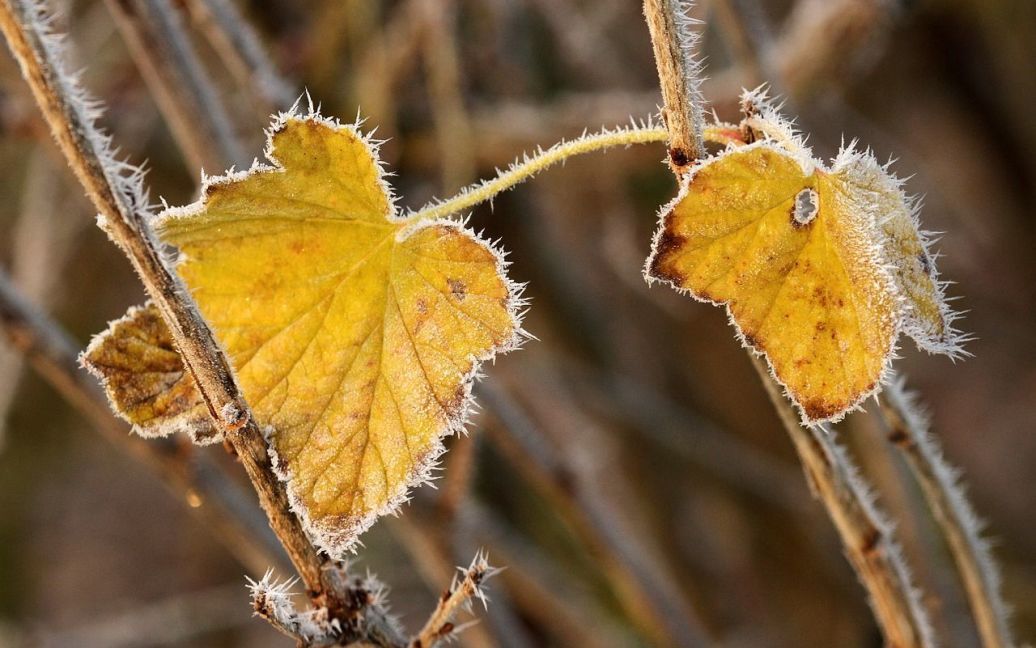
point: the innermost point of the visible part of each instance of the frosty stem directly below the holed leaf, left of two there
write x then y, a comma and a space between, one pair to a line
866, 534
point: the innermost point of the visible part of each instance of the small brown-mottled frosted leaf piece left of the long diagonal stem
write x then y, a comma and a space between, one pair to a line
146, 380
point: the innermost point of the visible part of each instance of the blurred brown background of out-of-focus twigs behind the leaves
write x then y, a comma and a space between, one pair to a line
627, 466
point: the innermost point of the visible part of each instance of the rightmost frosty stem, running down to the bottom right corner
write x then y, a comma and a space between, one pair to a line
908, 431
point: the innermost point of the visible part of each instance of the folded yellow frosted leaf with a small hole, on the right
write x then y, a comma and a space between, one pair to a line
820, 268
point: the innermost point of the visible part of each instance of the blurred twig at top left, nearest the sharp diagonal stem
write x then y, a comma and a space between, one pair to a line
187, 98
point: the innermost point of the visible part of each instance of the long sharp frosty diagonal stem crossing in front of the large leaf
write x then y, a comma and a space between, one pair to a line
120, 200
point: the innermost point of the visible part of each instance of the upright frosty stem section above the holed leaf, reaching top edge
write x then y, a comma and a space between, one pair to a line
678, 75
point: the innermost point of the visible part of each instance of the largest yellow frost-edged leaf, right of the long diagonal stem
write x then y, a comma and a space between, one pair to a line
356, 335
